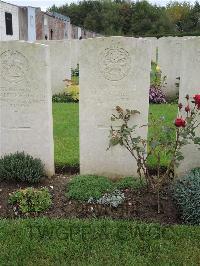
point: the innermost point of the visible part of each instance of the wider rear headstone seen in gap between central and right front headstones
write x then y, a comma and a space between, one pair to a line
169, 60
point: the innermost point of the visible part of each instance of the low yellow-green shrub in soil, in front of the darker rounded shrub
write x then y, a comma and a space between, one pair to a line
31, 200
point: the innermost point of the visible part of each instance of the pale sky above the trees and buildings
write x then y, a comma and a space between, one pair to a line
44, 4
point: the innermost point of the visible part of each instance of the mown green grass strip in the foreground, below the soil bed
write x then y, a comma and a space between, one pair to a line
91, 242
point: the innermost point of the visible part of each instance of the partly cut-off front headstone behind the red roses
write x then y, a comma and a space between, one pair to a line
190, 84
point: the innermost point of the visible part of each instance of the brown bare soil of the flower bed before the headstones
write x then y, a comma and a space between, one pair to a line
139, 205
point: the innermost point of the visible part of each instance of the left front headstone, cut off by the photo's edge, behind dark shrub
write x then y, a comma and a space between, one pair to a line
25, 101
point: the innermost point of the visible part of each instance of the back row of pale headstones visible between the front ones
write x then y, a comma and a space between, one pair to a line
165, 51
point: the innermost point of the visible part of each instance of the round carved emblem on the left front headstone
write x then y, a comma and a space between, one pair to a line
14, 66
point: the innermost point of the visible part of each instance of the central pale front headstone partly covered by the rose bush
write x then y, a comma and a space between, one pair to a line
113, 71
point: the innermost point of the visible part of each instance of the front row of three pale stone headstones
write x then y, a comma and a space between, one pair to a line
113, 71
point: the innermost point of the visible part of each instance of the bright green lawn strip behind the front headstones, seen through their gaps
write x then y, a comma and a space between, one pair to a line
66, 133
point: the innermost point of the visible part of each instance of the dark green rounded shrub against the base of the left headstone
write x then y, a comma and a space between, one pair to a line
21, 167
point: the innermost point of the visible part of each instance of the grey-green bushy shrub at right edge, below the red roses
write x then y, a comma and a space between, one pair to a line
186, 192
